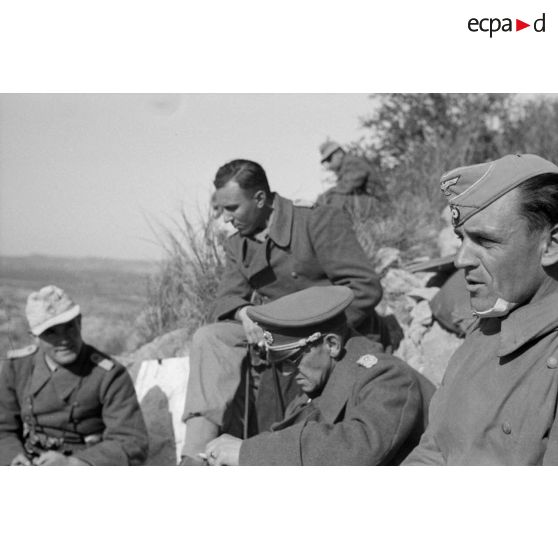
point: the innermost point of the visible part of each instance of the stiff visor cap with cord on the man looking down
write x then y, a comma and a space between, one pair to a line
299, 319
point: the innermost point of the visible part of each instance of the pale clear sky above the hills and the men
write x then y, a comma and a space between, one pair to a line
91, 174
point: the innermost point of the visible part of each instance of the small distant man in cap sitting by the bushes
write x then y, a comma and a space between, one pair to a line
358, 190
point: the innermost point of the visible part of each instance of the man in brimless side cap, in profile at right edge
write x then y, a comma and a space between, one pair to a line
498, 400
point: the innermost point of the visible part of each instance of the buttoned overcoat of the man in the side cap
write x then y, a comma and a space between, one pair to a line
497, 403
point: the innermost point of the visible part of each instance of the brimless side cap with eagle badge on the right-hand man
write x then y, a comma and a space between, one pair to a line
471, 189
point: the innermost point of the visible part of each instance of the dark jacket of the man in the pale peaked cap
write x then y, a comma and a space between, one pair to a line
99, 400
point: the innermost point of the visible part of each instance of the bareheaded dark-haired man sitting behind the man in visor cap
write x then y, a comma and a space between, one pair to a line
279, 247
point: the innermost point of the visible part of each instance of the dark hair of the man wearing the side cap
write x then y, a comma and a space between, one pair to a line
538, 201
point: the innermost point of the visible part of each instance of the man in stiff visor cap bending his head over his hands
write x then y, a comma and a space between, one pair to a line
359, 406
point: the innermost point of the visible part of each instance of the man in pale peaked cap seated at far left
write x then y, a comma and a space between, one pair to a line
62, 402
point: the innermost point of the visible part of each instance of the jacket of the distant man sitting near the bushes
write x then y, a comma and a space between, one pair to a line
358, 188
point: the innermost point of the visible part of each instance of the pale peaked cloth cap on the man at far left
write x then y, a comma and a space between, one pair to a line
49, 307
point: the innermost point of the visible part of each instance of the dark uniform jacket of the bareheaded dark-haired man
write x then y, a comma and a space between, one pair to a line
306, 246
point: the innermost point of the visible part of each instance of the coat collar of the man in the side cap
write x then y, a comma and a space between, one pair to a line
528, 323
